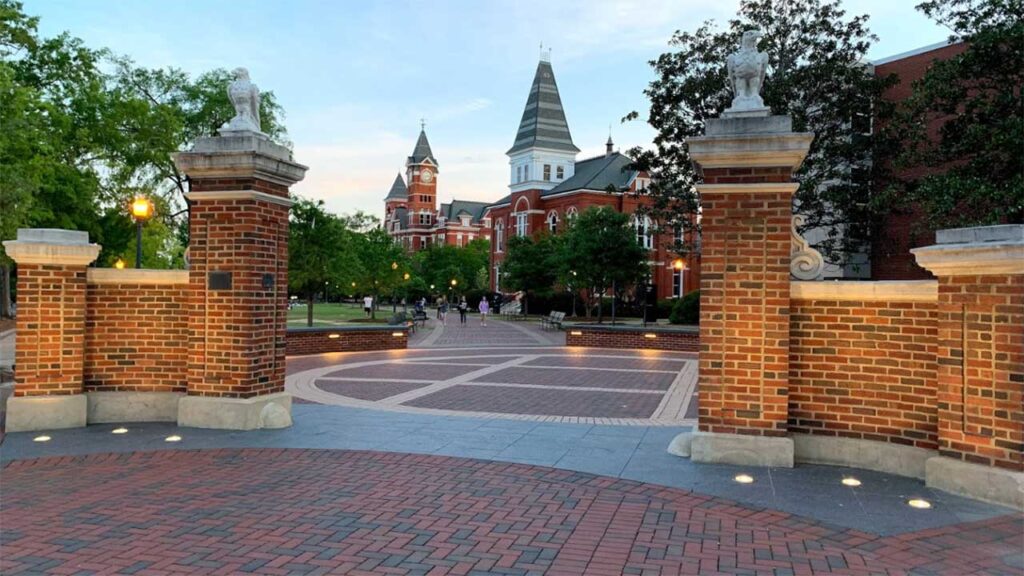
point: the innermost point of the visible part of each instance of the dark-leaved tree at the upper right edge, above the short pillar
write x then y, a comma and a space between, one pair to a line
974, 161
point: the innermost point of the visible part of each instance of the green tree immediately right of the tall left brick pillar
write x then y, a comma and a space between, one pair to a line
321, 251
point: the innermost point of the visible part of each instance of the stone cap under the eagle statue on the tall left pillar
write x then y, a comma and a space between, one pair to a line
241, 155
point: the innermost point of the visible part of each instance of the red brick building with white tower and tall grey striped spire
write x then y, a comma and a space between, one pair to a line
548, 186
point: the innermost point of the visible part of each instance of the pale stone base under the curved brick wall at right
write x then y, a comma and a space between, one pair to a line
879, 457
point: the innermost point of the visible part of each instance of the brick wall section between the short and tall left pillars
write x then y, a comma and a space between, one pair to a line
137, 338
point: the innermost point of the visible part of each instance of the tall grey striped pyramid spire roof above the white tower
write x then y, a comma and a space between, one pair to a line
543, 124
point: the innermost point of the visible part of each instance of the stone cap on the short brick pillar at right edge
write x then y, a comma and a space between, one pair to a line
972, 252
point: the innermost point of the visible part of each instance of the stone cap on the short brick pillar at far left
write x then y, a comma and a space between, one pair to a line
52, 246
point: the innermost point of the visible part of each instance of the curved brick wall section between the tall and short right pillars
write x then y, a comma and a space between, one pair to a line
864, 369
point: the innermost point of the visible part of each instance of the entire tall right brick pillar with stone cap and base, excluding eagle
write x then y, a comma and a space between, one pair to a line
747, 200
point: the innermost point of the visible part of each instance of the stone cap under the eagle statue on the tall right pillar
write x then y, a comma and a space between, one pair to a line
750, 143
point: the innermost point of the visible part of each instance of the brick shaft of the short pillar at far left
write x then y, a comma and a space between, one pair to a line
51, 330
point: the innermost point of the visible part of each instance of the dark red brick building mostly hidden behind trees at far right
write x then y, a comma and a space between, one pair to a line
891, 258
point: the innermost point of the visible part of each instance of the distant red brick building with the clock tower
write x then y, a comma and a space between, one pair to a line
411, 214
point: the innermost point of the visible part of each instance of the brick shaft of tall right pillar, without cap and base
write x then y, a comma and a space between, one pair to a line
745, 308
